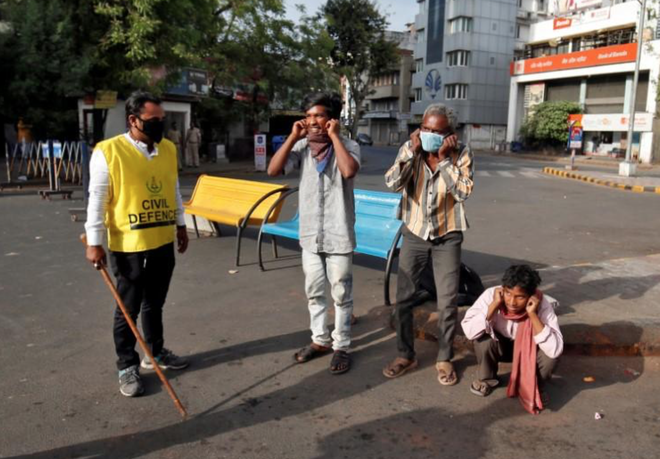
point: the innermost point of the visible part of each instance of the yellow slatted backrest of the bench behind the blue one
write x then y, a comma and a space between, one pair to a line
221, 193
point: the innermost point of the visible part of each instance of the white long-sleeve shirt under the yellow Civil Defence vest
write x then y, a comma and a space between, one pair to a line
100, 192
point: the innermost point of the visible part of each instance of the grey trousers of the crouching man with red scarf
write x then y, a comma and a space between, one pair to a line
490, 352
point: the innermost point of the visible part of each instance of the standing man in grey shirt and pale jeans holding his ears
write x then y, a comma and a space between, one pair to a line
328, 163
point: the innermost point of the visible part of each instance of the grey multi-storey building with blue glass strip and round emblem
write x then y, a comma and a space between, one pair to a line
462, 59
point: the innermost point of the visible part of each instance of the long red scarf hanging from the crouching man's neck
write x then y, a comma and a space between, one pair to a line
523, 382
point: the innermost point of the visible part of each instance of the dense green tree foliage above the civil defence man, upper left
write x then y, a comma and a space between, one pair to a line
55, 51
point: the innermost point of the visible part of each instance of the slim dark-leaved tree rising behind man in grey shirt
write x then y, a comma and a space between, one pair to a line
361, 49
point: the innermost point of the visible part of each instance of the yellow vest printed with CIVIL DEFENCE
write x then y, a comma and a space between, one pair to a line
141, 214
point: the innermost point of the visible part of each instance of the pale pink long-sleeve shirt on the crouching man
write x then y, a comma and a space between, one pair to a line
475, 324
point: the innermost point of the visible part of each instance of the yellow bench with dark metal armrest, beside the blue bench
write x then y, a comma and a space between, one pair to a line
234, 202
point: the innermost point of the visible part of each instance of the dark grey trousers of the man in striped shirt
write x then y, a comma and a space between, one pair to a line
445, 253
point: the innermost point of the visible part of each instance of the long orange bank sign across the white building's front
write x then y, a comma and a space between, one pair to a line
607, 55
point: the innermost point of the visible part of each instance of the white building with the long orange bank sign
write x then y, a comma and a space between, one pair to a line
587, 53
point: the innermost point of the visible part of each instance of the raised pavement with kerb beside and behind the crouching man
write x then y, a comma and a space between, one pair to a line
607, 308
